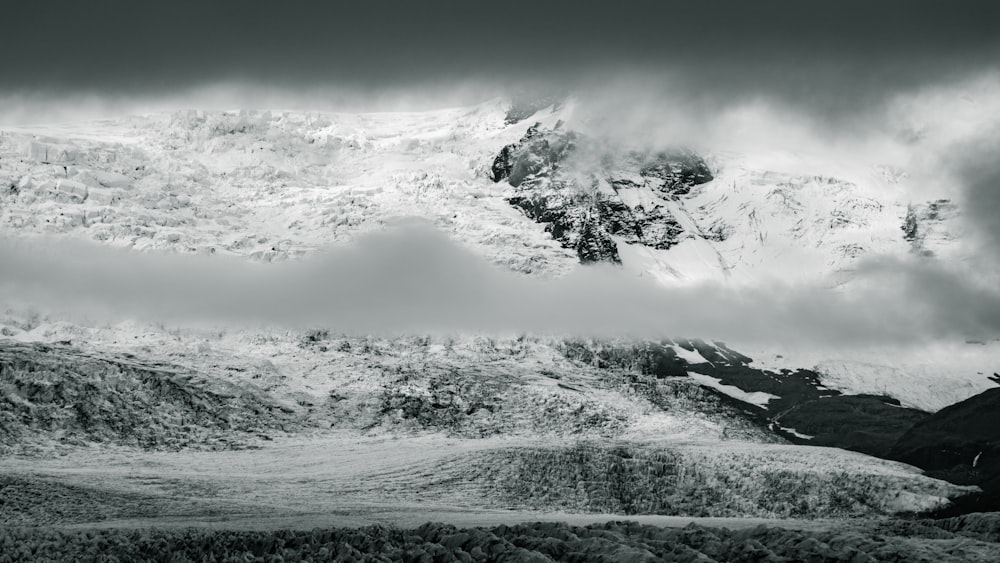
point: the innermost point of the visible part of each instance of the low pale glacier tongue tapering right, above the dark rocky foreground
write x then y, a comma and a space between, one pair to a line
351, 480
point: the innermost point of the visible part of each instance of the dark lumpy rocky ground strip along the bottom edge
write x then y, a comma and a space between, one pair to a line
970, 538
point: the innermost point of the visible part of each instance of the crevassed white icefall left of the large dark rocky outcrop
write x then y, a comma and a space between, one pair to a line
268, 186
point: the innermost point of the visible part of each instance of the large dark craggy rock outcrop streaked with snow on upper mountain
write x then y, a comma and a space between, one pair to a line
563, 180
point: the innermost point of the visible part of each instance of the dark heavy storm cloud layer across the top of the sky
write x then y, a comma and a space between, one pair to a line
832, 54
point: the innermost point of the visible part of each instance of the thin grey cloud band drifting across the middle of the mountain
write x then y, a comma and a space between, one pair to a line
414, 279
